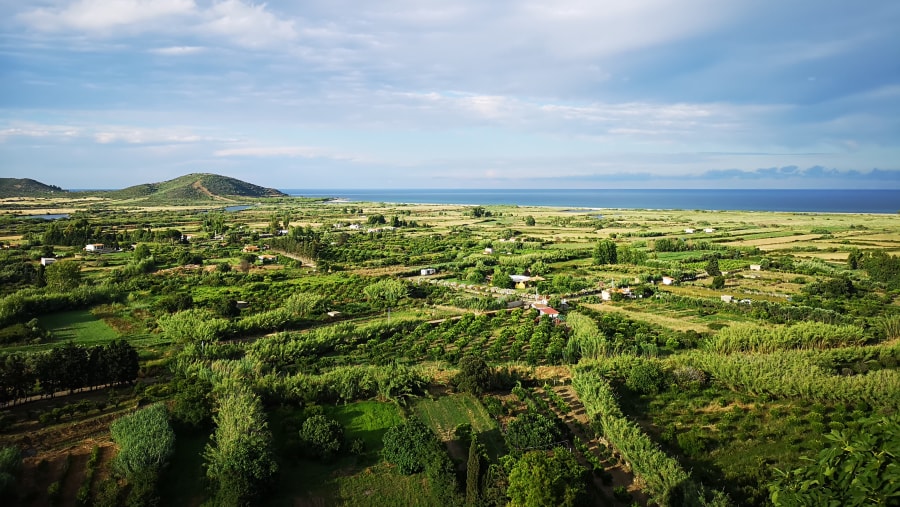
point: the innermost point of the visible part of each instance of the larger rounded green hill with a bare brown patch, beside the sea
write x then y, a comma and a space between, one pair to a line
193, 187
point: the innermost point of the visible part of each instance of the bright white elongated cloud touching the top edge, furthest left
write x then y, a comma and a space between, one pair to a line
104, 15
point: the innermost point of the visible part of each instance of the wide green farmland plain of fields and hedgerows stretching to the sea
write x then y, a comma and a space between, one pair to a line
363, 343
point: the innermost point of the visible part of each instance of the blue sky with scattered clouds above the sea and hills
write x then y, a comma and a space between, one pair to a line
337, 94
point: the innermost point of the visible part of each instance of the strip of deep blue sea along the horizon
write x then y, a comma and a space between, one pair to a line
804, 201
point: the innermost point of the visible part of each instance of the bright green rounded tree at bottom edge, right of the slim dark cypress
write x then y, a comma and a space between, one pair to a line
541, 478
